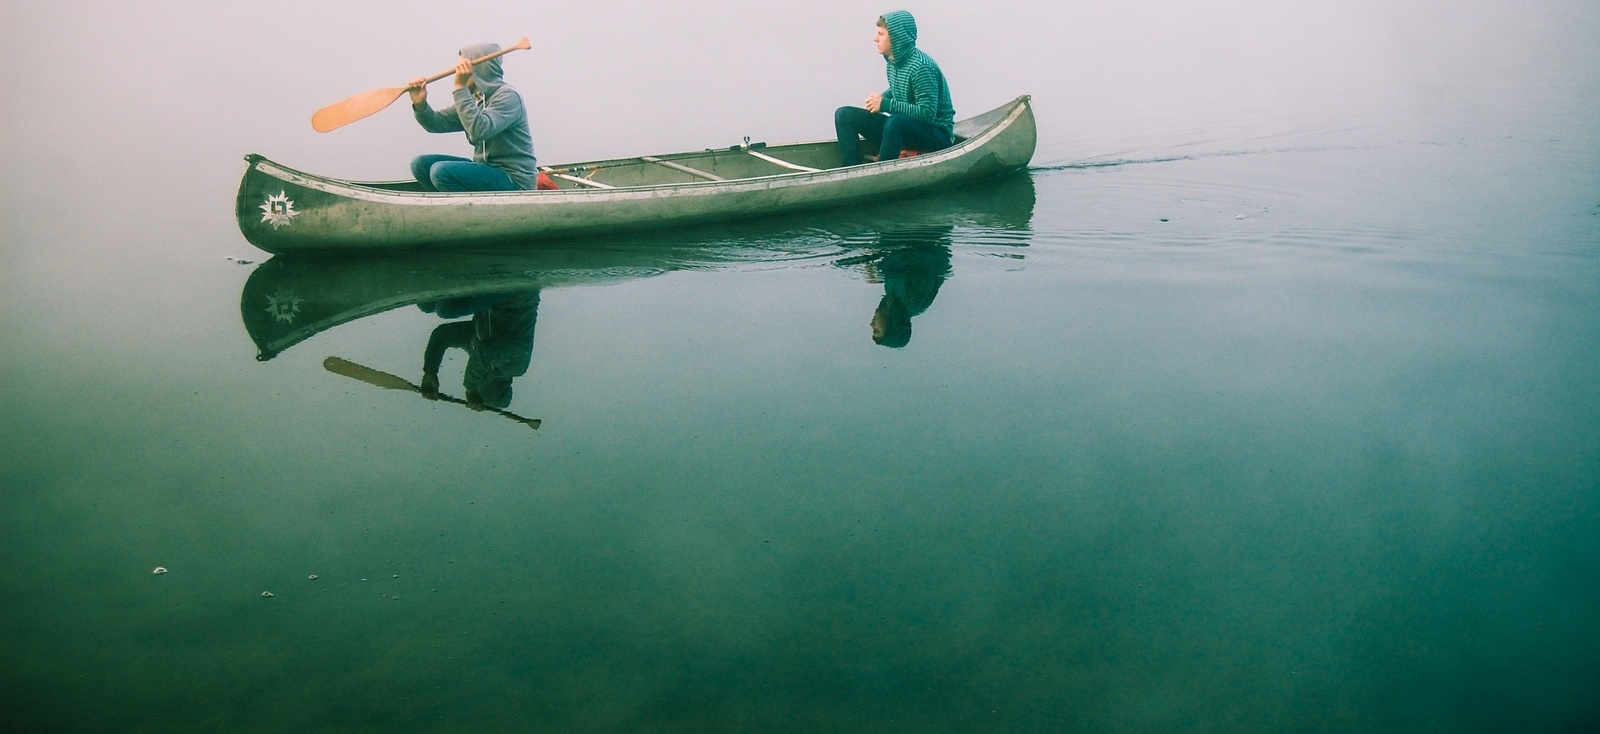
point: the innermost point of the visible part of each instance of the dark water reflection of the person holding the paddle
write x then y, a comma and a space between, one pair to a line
498, 341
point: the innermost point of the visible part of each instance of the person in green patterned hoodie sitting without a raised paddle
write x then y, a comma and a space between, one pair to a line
913, 114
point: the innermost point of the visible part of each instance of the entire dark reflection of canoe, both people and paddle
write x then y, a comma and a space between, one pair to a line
492, 298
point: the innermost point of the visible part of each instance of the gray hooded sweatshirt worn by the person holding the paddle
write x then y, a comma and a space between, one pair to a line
494, 121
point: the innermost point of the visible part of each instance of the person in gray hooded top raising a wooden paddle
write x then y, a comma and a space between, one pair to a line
495, 121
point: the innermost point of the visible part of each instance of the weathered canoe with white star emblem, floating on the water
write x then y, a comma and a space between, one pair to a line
282, 210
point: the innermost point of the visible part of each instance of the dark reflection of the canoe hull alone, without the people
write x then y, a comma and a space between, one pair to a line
294, 298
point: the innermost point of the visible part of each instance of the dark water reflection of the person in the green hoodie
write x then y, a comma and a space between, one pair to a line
913, 268
